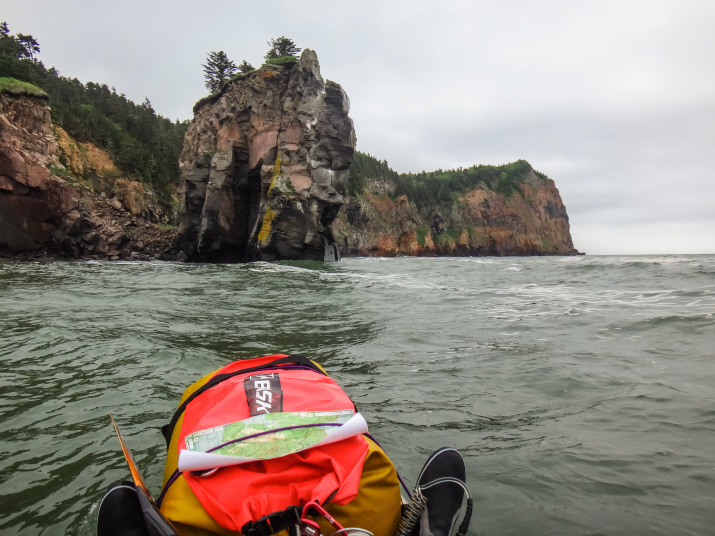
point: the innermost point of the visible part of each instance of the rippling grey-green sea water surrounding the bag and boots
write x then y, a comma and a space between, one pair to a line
580, 390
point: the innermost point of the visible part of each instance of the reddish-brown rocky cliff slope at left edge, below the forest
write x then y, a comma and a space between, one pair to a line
46, 208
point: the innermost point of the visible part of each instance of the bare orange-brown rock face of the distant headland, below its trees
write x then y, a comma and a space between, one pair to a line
532, 221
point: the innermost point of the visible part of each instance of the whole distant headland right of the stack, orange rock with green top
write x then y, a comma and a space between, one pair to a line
520, 212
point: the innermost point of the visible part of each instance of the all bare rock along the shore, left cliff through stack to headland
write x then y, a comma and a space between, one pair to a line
264, 170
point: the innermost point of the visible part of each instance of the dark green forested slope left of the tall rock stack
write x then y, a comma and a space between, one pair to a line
143, 144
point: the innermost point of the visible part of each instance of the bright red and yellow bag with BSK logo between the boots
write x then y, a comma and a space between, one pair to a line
256, 497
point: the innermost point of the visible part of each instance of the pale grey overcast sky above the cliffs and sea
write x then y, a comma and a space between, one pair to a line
614, 100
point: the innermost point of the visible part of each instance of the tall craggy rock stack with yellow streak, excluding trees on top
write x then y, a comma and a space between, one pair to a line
264, 166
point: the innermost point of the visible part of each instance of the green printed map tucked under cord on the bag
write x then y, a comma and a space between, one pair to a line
270, 445
